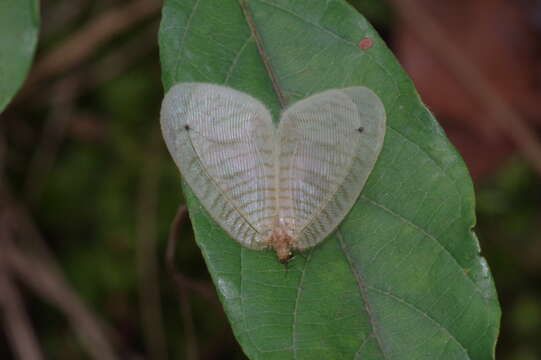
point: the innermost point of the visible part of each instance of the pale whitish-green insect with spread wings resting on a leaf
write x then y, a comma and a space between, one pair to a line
286, 187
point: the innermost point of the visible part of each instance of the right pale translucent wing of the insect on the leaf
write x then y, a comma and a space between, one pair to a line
329, 145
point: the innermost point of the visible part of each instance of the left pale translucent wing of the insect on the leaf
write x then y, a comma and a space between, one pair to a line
222, 142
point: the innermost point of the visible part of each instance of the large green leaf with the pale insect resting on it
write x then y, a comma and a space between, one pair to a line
401, 278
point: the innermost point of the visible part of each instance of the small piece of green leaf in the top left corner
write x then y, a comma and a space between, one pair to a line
19, 22
